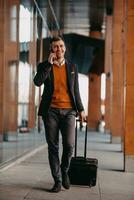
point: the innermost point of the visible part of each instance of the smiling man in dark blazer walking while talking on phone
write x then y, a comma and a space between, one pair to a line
59, 105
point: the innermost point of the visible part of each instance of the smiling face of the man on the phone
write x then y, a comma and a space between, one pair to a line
58, 47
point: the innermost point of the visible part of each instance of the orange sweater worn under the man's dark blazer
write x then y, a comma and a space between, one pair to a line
61, 97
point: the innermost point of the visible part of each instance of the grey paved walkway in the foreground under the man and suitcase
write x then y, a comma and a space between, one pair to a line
29, 179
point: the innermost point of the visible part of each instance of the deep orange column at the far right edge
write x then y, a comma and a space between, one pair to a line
129, 107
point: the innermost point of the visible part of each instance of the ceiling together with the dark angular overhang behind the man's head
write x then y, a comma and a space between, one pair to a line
74, 19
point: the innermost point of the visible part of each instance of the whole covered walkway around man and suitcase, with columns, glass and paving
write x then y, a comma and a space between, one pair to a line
99, 39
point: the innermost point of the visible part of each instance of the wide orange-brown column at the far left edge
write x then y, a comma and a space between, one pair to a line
9, 65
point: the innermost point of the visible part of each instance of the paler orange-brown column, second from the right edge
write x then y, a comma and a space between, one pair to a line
117, 115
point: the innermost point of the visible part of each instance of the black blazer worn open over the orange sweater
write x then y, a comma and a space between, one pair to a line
45, 76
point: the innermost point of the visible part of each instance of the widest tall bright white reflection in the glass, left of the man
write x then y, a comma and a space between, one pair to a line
24, 67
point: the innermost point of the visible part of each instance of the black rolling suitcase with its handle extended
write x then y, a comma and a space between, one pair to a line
83, 170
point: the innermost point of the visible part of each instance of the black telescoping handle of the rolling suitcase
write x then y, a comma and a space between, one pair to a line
85, 145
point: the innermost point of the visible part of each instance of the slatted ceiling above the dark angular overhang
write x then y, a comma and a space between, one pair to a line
72, 16
